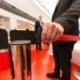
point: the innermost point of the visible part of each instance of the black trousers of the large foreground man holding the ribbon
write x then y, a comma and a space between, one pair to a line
62, 56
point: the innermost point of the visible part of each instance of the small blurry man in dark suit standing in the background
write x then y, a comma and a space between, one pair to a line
38, 29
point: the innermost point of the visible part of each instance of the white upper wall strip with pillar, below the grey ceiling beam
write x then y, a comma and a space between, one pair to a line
13, 18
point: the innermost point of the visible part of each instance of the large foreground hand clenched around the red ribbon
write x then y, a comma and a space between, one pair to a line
51, 32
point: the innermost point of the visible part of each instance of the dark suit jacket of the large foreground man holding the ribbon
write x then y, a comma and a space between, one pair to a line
67, 14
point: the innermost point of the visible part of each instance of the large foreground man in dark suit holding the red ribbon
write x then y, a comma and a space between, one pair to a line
64, 21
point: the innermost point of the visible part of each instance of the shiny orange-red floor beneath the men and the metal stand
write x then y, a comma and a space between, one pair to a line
42, 62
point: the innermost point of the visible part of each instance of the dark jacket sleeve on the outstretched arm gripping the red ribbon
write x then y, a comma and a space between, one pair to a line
70, 17
